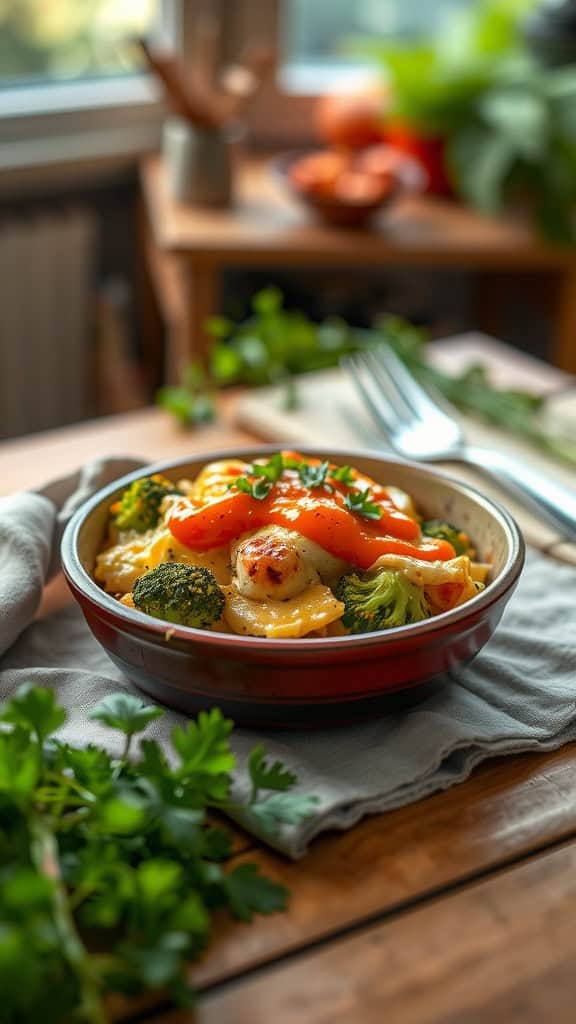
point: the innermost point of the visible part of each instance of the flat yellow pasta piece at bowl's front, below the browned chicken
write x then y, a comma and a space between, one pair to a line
307, 613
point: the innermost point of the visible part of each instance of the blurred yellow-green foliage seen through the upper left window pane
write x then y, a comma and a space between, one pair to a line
70, 39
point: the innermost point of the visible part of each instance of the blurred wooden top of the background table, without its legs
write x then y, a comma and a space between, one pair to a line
266, 223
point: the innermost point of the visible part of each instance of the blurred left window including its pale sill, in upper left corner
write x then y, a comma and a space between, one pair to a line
72, 90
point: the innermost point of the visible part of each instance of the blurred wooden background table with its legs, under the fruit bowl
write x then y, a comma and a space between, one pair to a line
188, 248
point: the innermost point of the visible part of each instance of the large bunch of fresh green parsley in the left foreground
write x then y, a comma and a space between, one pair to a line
120, 850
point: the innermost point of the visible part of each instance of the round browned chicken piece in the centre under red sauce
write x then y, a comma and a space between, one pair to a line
275, 564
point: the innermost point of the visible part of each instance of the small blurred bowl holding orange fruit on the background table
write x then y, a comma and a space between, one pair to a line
408, 179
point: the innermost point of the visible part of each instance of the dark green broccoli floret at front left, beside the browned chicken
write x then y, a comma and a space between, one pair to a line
188, 595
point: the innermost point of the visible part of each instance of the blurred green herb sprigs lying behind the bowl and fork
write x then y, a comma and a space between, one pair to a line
274, 346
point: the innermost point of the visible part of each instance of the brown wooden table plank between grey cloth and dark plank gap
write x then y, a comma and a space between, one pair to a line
508, 809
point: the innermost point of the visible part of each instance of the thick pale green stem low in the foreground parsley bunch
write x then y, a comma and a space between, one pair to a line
46, 856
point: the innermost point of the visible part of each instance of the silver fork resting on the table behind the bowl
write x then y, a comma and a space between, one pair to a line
419, 428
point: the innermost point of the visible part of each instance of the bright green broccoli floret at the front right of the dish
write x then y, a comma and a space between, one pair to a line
381, 602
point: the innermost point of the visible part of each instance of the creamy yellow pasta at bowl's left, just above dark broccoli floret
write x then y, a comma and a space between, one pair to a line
118, 568
